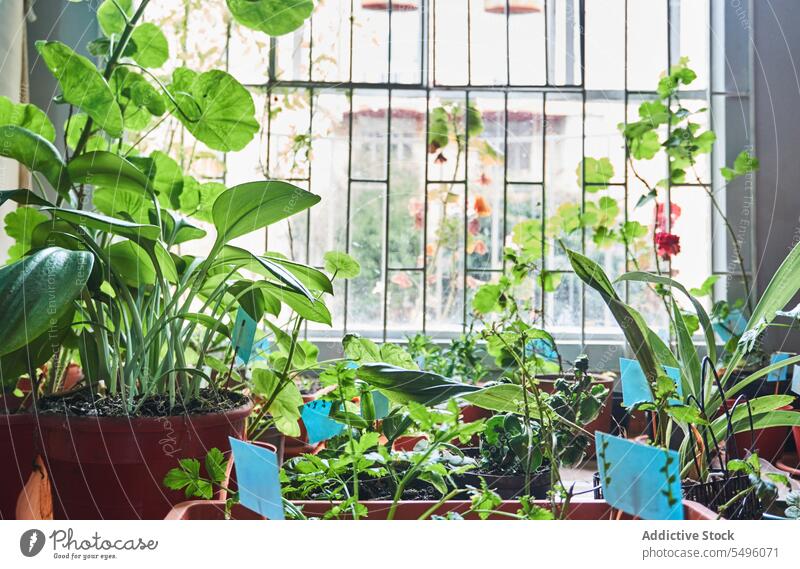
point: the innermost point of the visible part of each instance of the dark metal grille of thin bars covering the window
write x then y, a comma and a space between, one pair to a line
524, 120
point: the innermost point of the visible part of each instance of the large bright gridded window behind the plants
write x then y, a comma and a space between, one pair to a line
347, 106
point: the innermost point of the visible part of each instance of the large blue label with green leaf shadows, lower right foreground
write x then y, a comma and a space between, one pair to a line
640, 480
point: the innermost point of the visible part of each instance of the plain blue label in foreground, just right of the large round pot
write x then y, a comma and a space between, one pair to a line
257, 475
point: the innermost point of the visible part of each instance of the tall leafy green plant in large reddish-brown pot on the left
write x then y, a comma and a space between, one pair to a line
145, 316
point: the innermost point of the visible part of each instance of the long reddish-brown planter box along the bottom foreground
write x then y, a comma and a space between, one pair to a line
590, 510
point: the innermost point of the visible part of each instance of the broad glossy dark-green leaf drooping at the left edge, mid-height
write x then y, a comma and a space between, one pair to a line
37, 291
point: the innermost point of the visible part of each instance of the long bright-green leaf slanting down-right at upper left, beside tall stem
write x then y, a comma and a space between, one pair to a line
82, 85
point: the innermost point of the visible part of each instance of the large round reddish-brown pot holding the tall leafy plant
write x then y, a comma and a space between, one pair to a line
114, 467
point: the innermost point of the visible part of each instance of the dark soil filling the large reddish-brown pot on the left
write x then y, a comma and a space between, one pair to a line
84, 403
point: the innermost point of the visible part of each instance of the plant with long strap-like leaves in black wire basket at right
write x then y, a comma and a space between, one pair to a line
702, 417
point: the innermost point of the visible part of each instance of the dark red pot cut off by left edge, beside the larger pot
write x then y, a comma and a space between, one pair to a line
17, 453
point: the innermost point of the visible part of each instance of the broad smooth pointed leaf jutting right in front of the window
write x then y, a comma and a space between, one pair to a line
252, 206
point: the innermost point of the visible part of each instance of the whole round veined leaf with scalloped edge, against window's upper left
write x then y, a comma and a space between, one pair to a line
215, 108
